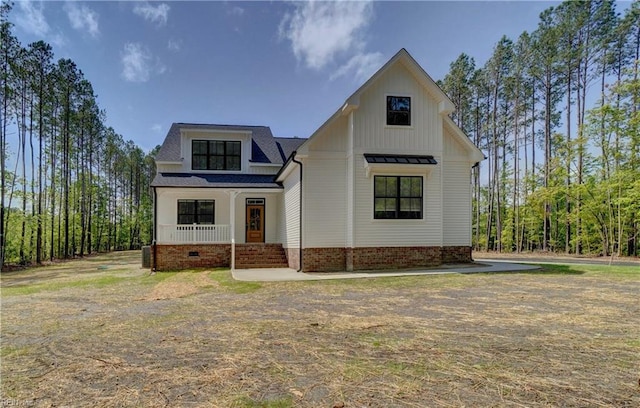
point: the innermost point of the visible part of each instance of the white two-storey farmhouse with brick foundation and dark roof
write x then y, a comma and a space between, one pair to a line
384, 183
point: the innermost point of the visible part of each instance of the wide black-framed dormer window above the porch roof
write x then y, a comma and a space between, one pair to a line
215, 155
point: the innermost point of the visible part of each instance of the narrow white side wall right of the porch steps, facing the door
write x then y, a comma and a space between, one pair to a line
290, 211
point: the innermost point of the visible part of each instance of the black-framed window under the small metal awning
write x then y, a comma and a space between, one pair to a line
393, 201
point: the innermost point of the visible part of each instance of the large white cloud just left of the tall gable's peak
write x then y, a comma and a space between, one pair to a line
320, 32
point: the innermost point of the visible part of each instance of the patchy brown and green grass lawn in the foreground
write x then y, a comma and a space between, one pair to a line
102, 332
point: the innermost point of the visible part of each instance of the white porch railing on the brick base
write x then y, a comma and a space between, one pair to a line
193, 234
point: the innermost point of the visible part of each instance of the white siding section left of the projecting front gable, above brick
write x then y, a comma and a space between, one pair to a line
325, 203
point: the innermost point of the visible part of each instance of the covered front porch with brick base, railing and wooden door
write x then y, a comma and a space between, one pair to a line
202, 227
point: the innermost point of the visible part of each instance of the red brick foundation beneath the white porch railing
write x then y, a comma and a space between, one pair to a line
171, 257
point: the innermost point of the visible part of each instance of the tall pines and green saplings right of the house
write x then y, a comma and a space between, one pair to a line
556, 112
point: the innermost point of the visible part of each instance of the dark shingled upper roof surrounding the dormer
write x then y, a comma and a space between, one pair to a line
264, 148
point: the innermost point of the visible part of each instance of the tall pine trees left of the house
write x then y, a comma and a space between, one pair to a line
70, 185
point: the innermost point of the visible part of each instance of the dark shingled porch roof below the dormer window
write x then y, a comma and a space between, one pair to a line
214, 180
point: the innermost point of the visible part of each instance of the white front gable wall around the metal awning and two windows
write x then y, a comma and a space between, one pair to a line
372, 135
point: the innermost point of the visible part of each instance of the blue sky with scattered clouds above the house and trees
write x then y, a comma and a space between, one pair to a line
287, 65
